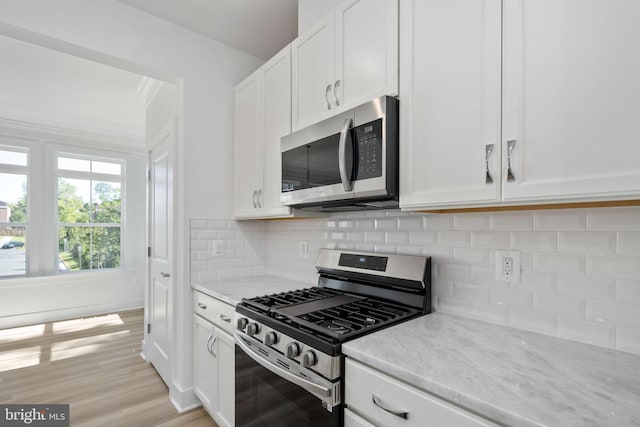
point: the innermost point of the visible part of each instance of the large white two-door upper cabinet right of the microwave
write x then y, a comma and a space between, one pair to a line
557, 100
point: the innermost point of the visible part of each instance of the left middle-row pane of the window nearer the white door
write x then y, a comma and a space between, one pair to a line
74, 200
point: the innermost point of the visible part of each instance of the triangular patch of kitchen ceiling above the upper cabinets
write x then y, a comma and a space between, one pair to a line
258, 27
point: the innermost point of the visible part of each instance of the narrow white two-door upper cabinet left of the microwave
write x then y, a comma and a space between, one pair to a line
263, 116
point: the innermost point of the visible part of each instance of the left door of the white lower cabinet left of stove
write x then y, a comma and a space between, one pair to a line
205, 377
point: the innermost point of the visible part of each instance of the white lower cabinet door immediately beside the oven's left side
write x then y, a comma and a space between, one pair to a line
225, 353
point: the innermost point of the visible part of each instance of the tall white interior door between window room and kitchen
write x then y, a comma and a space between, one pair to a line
160, 252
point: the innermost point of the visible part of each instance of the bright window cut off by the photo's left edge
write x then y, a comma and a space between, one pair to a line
14, 214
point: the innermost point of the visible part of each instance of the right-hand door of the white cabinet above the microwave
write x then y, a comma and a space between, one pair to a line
366, 51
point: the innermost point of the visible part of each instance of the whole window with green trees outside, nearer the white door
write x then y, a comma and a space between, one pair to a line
89, 213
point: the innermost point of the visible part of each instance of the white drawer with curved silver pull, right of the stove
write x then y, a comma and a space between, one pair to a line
363, 385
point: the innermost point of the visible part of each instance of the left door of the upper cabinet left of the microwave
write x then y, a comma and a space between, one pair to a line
248, 146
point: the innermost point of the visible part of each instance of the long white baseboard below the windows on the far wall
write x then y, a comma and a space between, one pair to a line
65, 314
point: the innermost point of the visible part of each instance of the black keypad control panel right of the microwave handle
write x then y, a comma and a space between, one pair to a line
369, 154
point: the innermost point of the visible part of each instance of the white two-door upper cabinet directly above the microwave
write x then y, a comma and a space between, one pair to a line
348, 58
